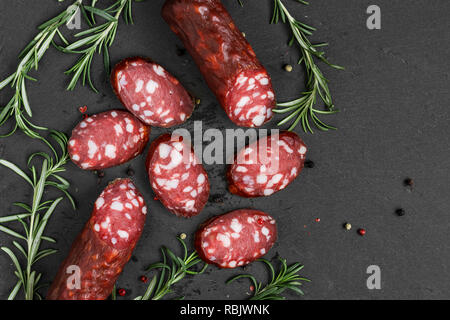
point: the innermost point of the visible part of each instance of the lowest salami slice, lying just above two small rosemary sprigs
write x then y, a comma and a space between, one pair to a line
236, 238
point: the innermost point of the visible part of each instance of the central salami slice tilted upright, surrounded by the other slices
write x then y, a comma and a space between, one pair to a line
179, 181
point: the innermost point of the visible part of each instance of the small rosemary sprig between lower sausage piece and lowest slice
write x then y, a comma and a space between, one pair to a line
176, 270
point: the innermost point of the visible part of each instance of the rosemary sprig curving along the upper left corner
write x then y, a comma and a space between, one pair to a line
19, 106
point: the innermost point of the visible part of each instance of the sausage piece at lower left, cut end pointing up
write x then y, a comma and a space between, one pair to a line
105, 245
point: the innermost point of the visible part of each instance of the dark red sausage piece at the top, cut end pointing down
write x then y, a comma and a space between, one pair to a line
226, 60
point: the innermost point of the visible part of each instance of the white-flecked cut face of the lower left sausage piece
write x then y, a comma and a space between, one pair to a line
119, 214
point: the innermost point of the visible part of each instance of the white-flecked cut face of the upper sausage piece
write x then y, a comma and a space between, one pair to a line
251, 100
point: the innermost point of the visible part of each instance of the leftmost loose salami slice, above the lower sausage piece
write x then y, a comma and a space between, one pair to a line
107, 139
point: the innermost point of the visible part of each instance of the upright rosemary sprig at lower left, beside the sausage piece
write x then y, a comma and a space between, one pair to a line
36, 216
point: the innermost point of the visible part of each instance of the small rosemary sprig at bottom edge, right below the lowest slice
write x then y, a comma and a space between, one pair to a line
287, 278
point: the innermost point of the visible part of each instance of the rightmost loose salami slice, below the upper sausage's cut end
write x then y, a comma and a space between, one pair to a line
257, 172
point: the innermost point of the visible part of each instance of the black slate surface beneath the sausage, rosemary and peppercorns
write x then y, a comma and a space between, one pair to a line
393, 124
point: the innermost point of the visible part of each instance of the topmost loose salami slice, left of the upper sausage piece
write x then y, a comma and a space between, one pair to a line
151, 93
